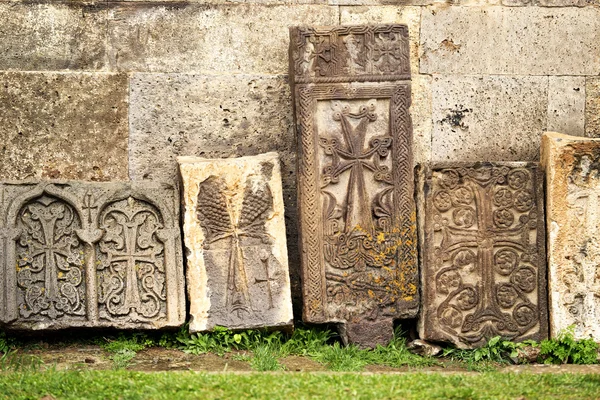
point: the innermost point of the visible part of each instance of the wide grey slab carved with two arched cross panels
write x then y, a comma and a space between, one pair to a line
82, 254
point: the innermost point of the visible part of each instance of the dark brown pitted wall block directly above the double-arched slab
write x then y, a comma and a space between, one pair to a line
63, 125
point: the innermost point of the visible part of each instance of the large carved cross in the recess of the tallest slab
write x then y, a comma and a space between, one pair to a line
353, 157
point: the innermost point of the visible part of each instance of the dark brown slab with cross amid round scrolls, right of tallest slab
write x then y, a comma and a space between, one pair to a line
483, 256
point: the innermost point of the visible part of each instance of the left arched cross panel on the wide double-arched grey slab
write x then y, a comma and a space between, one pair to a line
50, 269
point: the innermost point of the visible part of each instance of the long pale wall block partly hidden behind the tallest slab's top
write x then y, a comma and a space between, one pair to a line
249, 39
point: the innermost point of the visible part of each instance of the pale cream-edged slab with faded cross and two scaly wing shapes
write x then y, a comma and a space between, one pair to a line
234, 233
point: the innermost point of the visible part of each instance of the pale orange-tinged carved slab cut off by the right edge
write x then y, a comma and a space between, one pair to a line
572, 167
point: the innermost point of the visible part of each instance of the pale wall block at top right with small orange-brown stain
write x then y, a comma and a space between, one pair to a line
510, 40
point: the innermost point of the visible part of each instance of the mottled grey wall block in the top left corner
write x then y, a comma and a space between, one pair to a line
52, 36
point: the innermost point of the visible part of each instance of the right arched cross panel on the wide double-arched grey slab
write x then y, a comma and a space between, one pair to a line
131, 270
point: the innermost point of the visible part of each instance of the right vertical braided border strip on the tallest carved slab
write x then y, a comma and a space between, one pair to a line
404, 205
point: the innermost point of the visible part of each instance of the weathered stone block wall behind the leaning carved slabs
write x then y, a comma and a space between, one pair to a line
110, 90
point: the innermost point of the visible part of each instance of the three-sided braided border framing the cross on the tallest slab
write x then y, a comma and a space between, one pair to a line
311, 239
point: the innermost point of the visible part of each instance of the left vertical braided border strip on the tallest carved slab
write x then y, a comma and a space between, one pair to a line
313, 272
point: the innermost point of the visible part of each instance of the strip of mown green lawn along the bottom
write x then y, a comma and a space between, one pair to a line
190, 385
